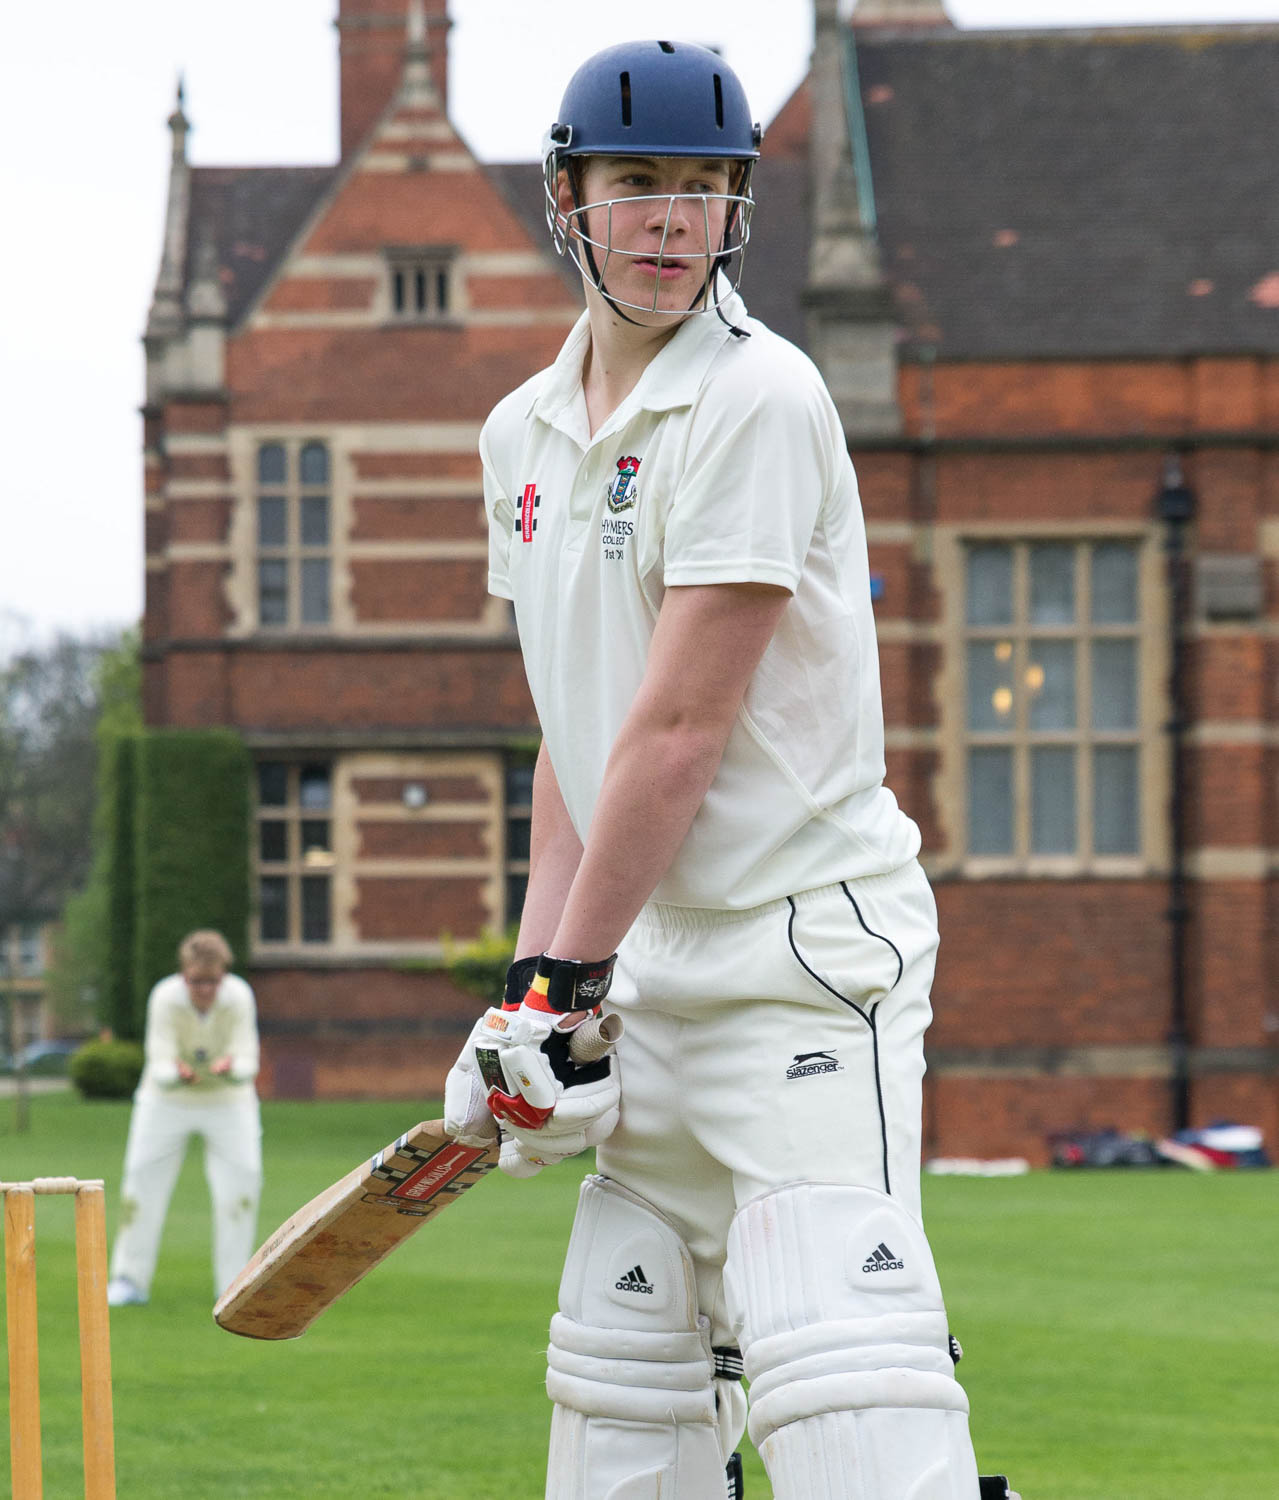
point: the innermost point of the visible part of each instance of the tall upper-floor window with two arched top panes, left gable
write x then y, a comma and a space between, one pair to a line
293, 530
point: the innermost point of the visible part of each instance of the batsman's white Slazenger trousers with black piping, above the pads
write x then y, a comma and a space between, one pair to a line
747, 1061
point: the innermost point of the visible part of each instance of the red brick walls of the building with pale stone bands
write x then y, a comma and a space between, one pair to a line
1053, 995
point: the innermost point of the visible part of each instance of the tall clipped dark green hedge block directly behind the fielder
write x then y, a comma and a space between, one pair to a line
191, 847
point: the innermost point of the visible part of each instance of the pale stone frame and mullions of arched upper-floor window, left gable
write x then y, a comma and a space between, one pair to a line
295, 553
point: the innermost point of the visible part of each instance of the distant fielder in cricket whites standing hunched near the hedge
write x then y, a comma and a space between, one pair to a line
202, 1052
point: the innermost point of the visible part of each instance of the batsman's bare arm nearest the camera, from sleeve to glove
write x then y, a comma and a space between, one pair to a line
707, 646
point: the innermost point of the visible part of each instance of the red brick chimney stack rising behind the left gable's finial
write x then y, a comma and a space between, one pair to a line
374, 40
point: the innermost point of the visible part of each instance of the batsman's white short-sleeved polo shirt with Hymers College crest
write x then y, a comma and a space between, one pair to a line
725, 466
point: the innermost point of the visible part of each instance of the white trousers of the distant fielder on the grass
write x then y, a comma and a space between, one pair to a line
160, 1132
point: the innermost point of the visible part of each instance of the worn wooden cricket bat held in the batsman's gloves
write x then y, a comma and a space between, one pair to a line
338, 1238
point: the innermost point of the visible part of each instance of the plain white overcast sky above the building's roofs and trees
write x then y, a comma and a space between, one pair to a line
85, 94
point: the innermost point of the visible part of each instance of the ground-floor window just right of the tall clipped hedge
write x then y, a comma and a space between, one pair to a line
295, 853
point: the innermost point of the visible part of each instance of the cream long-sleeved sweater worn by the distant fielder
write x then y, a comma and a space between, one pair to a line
179, 1033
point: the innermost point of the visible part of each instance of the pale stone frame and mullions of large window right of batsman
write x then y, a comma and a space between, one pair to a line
951, 785
